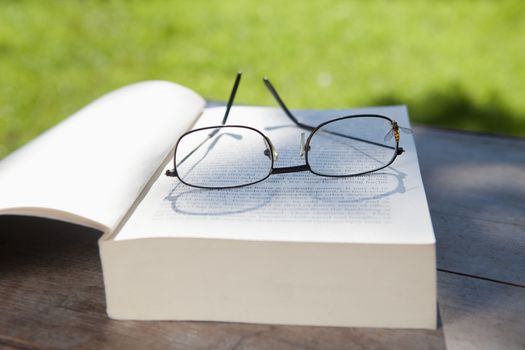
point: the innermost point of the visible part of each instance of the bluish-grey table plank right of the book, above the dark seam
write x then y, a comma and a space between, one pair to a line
475, 186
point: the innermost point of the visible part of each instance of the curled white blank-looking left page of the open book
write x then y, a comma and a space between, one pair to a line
90, 168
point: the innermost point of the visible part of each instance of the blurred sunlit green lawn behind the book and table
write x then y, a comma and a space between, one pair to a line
456, 64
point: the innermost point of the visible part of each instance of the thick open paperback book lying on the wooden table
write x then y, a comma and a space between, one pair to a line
294, 249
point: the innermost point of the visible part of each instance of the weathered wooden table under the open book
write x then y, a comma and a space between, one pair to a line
52, 294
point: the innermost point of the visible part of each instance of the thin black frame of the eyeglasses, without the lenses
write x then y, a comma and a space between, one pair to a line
291, 169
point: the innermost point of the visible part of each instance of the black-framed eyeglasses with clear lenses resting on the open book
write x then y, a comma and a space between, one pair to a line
230, 156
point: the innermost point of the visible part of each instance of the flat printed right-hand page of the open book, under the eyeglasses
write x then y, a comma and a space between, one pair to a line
387, 206
